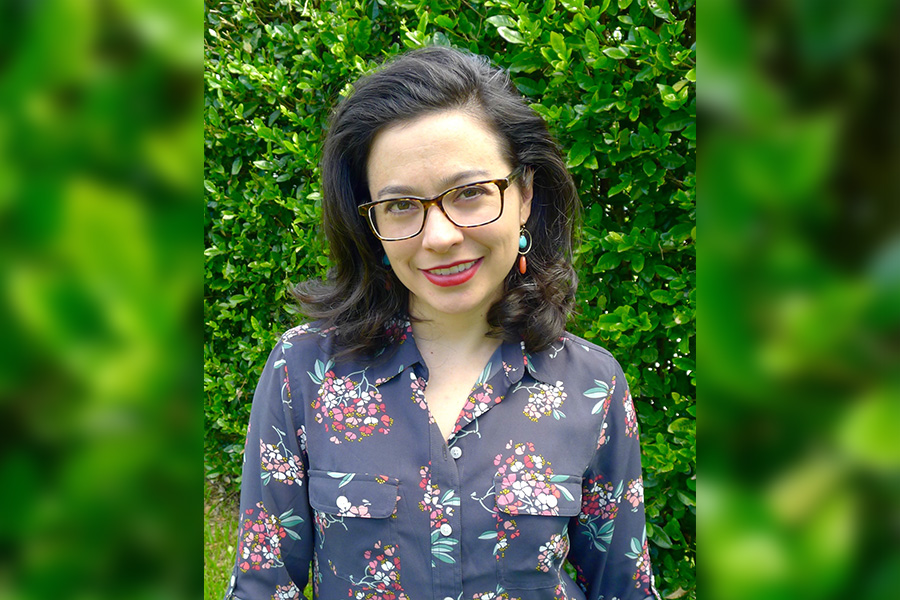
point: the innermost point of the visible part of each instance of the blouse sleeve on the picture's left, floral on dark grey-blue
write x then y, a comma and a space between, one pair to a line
275, 535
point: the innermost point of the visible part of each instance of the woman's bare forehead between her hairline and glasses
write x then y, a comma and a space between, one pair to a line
432, 151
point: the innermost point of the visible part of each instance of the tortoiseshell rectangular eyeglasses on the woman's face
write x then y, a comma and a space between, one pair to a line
470, 205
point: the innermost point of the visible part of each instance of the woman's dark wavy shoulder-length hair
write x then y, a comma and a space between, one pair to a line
360, 295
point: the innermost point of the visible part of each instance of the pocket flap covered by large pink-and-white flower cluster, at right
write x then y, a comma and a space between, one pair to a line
534, 493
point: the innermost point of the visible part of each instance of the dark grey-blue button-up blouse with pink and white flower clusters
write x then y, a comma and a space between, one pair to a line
346, 470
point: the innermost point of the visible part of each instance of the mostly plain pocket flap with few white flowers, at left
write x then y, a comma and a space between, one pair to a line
353, 494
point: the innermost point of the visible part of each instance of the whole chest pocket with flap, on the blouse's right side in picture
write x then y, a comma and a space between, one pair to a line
533, 512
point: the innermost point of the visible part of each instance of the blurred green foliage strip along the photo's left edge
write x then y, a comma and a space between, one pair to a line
100, 275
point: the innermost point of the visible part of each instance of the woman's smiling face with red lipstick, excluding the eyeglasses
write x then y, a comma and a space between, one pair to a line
424, 157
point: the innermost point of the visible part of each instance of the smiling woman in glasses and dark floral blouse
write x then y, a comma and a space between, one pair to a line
437, 433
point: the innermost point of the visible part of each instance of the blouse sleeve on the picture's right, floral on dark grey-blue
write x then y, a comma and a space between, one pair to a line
608, 538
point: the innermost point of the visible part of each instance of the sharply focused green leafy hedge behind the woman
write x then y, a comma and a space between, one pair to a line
615, 81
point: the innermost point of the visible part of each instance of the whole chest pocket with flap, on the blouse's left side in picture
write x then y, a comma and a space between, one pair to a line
354, 514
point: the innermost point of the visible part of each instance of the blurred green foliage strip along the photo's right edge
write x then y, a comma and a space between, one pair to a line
801, 300
